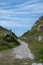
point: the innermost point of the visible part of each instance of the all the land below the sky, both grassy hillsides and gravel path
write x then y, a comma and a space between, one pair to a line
30, 49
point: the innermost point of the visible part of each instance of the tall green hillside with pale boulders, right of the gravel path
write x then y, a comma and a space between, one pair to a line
34, 38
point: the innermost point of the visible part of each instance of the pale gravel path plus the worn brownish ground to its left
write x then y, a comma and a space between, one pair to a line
19, 52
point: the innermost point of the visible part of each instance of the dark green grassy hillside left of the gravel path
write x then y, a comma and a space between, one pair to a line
7, 39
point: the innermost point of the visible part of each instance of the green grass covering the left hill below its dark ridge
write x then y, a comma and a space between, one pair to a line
6, 44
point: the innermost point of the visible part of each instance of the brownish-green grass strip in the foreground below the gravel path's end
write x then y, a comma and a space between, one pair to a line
17, 62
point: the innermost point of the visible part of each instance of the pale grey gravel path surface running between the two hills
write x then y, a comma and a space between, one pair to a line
22, 51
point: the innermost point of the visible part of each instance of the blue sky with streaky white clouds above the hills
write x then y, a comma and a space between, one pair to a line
20, 15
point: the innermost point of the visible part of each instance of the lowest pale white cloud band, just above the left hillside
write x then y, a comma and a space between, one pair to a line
13, 24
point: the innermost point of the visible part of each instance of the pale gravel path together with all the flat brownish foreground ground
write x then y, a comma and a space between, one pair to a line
15, 56
